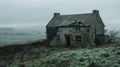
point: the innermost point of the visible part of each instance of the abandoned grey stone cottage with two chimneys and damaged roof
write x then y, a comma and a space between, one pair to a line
76, 29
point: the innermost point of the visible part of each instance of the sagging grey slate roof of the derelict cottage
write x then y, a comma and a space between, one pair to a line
65, 20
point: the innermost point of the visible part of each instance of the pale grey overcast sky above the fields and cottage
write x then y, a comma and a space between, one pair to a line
39, 12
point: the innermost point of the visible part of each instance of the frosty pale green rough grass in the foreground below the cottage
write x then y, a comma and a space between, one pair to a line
65, 57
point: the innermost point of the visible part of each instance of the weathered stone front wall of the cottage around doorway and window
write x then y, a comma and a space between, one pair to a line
87, 39
